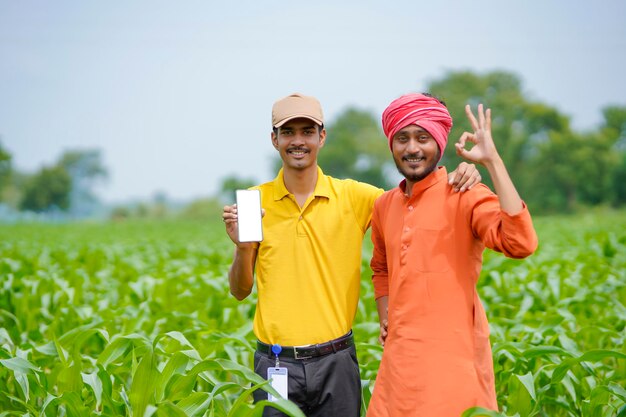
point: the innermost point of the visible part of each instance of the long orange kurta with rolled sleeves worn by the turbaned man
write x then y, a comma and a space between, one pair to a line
427, 259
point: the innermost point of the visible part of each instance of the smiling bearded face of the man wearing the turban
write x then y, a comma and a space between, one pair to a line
415, 153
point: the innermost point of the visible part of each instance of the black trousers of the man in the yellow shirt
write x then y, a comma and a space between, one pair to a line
324, 386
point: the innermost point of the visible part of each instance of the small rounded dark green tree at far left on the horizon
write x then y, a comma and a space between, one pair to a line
48, 189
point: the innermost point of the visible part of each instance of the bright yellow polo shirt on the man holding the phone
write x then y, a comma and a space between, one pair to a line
308, 266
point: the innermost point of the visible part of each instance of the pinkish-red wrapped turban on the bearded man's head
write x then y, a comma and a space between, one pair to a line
418, 109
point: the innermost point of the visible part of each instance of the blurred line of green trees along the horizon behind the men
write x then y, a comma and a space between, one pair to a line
555, 167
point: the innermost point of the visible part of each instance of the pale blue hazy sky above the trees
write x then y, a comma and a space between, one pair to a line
178, 95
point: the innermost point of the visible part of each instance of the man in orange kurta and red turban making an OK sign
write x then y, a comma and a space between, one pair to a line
428, 245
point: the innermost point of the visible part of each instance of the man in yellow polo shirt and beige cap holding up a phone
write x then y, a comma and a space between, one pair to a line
308, 266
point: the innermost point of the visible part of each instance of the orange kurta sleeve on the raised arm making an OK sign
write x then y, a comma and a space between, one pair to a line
512, 235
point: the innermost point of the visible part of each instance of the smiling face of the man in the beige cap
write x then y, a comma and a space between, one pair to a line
298, 141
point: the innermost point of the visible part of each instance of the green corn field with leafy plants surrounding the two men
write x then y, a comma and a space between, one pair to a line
135, 319
